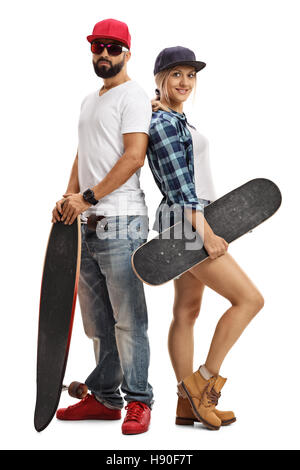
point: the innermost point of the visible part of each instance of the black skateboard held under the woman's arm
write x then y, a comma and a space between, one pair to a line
171, 253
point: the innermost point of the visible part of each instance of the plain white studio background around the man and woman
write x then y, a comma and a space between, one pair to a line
247, 104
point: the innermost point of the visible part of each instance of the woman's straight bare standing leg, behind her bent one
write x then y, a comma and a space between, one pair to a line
187, 303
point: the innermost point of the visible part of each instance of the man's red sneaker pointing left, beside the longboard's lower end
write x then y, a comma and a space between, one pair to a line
88, 408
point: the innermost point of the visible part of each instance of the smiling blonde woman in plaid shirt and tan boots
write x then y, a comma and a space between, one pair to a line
178, 158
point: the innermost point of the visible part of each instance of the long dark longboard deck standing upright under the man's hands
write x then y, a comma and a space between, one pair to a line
57, 307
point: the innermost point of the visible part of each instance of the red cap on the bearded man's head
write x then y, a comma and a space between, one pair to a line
112, 29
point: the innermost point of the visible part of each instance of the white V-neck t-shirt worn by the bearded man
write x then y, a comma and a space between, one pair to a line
123, 109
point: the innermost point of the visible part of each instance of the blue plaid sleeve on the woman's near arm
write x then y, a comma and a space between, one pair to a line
176, 179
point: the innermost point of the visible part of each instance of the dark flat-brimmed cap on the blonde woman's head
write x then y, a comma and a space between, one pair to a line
172, 56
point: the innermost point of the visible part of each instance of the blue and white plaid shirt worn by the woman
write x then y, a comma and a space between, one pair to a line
171, 159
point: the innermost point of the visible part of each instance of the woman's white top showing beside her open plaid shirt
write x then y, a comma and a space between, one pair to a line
202, 171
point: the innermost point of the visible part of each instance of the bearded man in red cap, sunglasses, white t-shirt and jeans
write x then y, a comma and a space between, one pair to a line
104, 188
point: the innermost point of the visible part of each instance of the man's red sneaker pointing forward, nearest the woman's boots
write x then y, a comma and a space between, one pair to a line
137, 419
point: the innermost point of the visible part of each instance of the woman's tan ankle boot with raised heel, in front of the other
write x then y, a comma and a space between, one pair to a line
203, 396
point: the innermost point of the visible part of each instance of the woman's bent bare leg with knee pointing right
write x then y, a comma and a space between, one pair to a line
225, 277
